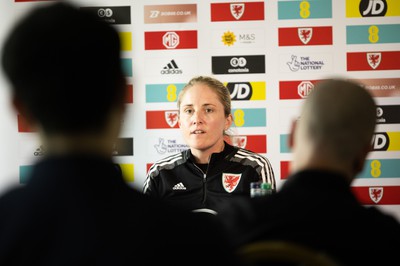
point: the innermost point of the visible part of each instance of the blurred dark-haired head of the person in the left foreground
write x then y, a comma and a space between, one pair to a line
65, 73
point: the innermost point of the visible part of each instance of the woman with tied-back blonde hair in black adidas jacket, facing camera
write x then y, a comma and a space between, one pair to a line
211, 171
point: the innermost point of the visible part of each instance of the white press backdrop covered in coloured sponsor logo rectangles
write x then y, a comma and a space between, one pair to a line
270, 54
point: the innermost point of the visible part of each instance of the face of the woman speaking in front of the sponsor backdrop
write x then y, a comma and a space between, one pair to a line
202, 119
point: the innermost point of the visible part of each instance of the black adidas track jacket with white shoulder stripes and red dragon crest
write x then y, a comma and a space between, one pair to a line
180, 182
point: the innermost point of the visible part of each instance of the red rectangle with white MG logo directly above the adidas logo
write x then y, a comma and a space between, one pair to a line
156, 41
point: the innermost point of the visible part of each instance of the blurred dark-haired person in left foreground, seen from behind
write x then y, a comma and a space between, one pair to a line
76, 209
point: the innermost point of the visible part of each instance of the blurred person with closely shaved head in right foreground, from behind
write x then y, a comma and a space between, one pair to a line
316, 206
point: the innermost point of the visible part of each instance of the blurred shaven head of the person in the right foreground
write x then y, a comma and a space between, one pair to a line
335, 128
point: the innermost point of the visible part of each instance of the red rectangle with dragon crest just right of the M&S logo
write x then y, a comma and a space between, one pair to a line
318, 36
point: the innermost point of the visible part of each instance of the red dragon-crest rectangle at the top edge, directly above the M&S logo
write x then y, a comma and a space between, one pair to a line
252, 11
